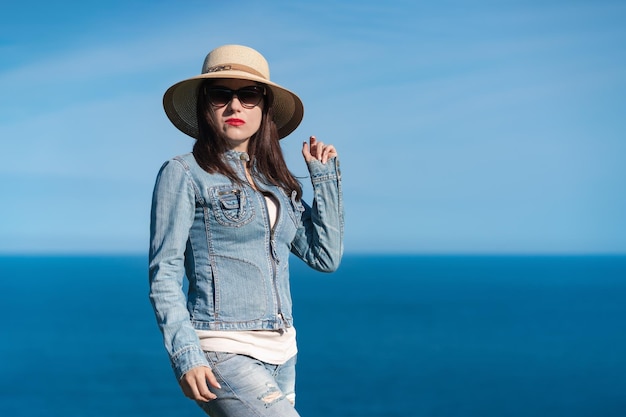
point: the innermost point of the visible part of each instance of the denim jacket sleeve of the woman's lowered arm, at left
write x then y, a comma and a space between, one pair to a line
173, 206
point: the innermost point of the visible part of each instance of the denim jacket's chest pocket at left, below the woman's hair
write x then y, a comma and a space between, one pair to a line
231, 205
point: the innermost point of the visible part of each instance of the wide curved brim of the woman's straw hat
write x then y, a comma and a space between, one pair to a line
180, 102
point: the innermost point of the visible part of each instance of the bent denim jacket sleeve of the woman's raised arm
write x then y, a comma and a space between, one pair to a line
319, 239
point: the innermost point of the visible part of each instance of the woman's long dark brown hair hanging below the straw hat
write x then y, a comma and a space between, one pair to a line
266, 155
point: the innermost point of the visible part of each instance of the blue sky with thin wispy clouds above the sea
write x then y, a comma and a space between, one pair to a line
463, 127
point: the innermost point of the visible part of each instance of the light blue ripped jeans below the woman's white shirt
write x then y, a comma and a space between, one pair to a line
251, 387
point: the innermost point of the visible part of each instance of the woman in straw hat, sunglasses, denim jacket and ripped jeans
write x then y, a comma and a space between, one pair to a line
227, 216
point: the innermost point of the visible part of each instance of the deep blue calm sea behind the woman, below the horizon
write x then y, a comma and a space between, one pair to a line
384, 336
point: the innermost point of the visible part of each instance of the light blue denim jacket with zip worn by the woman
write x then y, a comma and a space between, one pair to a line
218, 234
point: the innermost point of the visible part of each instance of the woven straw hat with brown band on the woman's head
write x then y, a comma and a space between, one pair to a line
231, 61
